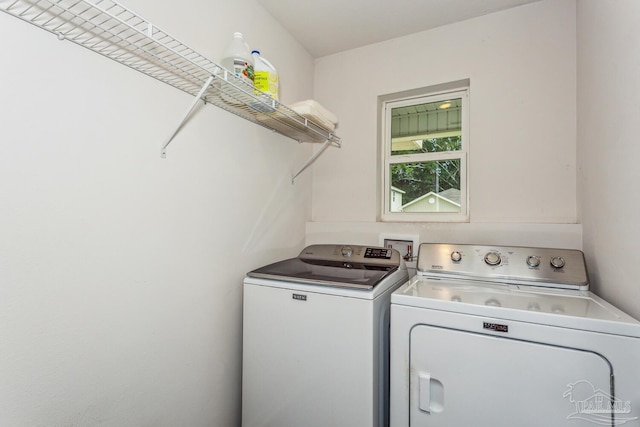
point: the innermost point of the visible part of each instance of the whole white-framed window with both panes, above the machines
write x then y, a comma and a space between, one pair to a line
424, 156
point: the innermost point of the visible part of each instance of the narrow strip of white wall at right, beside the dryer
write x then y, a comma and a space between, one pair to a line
608, 148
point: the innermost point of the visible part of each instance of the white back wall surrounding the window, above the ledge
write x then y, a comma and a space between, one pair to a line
522, 69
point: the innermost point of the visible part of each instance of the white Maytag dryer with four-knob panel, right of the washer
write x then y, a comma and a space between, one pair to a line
509, 336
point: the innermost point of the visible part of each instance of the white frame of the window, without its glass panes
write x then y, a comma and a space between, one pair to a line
387, 159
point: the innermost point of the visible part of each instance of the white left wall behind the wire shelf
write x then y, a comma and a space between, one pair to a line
121, 272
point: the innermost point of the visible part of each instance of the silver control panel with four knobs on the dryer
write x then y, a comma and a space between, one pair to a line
558, 268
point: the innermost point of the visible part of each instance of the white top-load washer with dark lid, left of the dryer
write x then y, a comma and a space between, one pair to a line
316, 338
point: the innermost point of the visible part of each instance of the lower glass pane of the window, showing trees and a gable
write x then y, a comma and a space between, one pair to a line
427, 187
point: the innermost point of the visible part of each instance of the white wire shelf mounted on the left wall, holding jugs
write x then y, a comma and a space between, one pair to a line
110, 29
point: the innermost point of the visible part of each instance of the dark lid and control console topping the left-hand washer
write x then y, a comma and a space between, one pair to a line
349, 266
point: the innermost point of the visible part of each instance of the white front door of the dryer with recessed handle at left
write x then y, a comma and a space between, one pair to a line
461, 378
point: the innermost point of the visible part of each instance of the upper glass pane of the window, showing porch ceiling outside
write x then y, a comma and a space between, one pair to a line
426, 128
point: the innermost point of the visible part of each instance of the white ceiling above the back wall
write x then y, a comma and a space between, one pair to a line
325, 27
